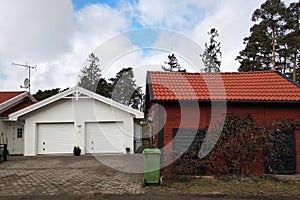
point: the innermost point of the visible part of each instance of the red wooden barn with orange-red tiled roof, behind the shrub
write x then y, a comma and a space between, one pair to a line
187, 101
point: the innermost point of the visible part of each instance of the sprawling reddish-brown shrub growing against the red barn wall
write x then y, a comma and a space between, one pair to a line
240, 143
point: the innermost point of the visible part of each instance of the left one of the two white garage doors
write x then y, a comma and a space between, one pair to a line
56, 138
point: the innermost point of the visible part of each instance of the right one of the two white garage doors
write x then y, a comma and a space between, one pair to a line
104, 137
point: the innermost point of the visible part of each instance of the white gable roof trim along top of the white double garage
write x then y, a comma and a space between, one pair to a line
76, 91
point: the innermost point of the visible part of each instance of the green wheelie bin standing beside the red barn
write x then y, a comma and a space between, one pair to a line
152, 166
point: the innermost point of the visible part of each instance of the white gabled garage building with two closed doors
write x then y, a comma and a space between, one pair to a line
79, 117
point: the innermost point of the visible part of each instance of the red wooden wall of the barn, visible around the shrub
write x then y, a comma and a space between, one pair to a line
185, 115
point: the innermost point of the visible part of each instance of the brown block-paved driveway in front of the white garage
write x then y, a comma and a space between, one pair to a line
56, 175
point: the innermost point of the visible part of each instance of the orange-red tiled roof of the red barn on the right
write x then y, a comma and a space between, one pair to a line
245, 86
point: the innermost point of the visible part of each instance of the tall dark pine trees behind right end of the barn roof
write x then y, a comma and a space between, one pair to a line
274, 39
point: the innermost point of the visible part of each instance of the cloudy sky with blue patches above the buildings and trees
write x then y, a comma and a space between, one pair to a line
58, 35
